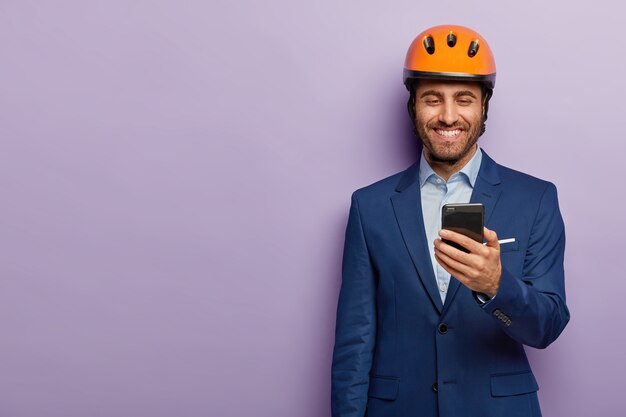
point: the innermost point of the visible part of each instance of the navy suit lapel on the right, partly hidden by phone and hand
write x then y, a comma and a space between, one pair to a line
486, 191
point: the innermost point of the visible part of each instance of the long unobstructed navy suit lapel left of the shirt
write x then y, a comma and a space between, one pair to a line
407, 205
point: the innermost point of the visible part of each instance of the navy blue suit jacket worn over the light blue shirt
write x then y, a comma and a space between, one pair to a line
399, 351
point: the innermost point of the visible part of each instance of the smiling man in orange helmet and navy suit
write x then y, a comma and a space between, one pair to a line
424, 329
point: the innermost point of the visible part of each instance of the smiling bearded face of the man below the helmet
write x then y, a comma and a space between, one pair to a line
448, 118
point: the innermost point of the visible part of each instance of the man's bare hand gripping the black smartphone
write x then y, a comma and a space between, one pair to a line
479, 270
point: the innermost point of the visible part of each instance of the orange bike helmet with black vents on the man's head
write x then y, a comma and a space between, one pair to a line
452, 53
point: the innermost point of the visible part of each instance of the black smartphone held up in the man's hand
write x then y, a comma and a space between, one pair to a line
465, 218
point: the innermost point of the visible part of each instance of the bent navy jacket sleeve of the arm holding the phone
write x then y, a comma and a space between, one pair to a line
531, 309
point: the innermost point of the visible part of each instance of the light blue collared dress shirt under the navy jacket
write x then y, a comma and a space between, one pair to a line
435, 193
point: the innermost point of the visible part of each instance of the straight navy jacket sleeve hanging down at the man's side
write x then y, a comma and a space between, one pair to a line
356, 323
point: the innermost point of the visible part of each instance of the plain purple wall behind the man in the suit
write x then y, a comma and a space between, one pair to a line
176, 176
